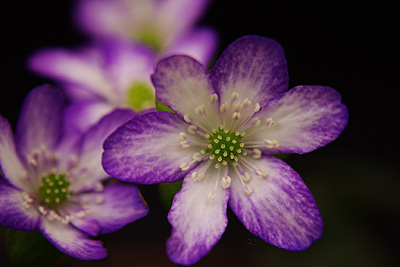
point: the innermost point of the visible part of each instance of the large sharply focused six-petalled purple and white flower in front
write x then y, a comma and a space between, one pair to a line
226, 127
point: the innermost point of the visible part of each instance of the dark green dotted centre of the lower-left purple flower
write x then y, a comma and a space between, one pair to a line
54, 189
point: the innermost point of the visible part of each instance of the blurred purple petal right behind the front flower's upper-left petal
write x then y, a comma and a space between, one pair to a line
199, 44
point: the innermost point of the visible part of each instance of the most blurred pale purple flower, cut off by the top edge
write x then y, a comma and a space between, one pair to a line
164, 25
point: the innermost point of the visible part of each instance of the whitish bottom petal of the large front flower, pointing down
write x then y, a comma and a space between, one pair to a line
197, 221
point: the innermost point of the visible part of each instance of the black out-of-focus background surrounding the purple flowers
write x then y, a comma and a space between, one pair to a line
350, 47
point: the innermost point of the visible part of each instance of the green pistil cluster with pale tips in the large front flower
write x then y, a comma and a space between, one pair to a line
224, 145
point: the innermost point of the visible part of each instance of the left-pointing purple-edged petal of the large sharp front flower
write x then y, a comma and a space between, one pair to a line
147, 149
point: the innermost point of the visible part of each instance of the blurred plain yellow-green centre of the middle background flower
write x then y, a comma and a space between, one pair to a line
140, 96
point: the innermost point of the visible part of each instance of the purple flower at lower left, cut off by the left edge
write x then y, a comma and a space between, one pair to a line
51, 179
